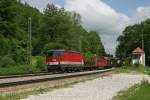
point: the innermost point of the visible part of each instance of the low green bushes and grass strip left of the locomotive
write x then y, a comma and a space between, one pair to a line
8, 66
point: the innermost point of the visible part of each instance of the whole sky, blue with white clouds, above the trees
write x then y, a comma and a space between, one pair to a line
108, 17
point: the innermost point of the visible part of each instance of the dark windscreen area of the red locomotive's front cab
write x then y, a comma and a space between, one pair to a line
54, 54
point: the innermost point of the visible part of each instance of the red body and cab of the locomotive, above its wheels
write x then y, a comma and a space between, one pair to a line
62, 57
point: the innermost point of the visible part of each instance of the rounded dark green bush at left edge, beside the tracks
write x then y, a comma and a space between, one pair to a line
6, 61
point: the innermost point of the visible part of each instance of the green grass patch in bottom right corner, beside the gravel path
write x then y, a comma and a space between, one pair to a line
136, 92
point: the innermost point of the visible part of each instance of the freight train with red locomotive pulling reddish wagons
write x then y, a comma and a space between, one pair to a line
64, 61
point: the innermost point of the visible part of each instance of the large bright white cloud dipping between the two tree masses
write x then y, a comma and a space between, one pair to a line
96, 15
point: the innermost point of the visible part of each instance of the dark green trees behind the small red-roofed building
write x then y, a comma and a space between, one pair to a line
131, 38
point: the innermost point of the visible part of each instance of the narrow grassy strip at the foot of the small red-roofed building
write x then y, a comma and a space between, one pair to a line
128, 69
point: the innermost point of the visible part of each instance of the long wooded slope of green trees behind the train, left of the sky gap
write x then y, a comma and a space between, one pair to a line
55, 28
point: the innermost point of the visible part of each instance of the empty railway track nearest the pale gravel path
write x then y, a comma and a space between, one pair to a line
8, 81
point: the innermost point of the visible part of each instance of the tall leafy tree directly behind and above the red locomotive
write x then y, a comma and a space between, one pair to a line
60, 27
